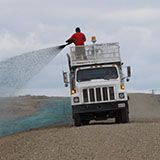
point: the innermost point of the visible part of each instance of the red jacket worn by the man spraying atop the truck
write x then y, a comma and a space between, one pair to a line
78, 38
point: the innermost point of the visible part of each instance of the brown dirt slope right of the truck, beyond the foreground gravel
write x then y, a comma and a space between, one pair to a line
144, 106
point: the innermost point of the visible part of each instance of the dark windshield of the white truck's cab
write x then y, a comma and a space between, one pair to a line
97, 73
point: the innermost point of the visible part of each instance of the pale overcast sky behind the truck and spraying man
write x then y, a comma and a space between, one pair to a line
26, 25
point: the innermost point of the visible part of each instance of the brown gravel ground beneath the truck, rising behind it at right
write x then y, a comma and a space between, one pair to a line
137, 140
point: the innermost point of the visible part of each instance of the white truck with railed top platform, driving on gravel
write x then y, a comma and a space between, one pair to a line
97, 83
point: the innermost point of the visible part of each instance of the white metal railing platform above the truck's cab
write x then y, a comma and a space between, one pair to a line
96, 53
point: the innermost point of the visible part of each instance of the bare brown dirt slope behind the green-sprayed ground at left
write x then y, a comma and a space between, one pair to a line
16, 107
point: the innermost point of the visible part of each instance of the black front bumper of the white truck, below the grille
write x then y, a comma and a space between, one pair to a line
99, 107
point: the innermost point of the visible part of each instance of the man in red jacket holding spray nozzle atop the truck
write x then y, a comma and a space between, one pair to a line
78, 39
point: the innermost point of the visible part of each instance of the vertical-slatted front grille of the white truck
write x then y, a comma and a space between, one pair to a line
98, 94
